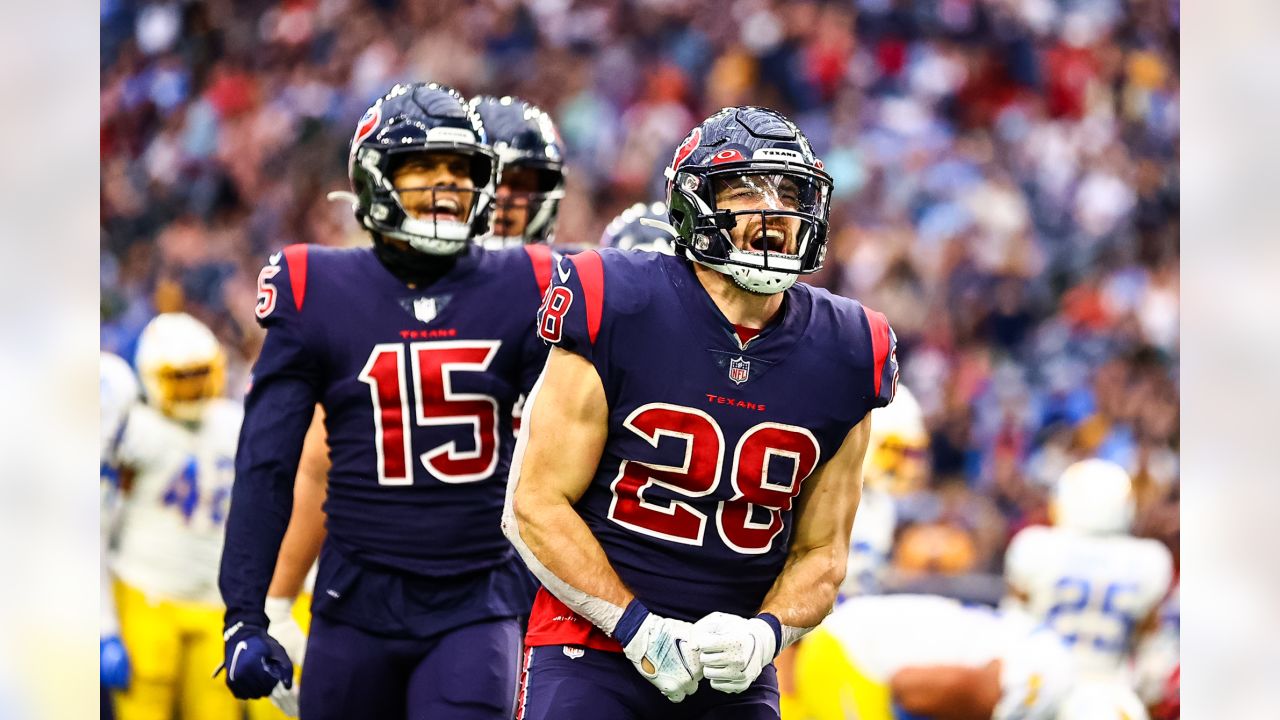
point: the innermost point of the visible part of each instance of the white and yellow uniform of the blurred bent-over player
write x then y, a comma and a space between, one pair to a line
881, 635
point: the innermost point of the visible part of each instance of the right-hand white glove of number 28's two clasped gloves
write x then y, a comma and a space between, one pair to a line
734, 650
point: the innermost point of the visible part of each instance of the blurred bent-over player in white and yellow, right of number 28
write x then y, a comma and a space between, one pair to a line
916, 657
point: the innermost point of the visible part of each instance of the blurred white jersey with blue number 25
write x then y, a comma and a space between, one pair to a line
1091, 590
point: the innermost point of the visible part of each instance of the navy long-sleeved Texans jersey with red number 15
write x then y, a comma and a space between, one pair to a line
418, 388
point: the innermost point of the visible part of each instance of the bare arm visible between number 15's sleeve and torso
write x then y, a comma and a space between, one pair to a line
305, 535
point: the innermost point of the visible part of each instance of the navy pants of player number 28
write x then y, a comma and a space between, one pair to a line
565, 682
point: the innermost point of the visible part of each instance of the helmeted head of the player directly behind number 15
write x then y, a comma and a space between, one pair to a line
531, 171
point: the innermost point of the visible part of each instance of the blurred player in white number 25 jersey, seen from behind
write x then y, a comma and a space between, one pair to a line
1086, 577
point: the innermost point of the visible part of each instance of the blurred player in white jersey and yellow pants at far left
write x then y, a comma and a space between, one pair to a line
175, 453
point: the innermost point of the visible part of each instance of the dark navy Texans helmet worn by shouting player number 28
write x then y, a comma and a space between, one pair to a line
764, 149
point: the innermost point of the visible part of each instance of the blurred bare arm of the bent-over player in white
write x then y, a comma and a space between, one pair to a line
948, 692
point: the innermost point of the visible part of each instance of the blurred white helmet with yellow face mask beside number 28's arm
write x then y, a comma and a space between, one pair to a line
898, 452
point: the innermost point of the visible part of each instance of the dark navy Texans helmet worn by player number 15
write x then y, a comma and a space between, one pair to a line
415, 119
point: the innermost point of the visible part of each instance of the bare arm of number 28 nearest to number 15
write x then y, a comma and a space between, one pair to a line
566, 425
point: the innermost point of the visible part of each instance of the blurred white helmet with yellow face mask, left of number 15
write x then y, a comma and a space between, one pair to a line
182, 366
